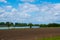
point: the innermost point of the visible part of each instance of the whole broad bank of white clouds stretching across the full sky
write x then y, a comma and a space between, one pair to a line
25, 12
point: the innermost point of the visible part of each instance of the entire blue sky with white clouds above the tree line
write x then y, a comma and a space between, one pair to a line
30, 11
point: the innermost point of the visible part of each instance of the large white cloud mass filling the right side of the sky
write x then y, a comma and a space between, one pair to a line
48, 13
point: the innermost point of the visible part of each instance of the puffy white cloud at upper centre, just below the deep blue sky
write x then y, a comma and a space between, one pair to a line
28, 8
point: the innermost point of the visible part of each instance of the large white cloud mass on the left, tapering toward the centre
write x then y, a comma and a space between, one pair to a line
13, 15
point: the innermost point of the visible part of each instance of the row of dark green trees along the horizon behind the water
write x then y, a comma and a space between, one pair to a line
9, 24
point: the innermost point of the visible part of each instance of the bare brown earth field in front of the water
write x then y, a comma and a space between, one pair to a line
28, 34
